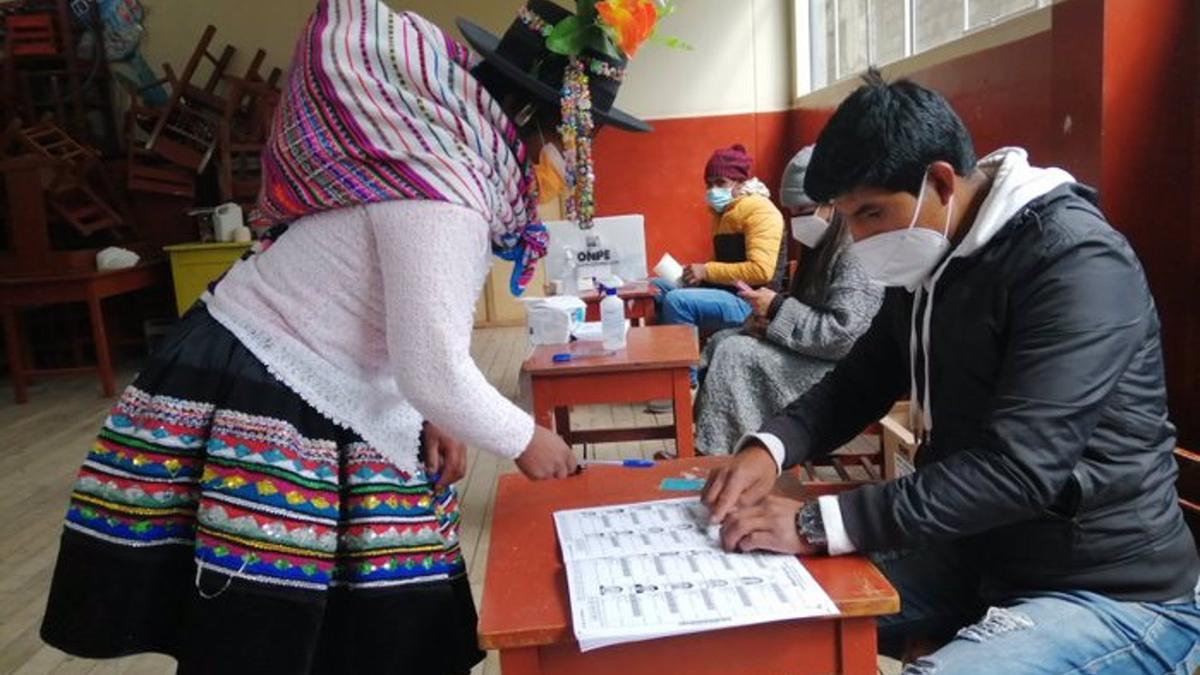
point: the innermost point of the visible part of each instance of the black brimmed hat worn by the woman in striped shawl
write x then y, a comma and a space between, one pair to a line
524, 58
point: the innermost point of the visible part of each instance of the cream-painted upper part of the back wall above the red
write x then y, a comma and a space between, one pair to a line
742, 61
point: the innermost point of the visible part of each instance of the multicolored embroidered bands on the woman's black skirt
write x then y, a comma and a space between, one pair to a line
260, 501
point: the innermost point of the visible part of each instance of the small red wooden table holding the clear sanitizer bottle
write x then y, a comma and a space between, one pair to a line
653, 366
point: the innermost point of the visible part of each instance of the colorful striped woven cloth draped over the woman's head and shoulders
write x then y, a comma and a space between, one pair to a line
382, 106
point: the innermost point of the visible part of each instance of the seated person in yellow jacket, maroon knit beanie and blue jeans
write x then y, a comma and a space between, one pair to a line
748, 244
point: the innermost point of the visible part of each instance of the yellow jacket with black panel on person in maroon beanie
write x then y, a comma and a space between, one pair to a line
747, 241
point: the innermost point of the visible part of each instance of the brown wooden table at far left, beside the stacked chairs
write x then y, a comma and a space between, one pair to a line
92, 288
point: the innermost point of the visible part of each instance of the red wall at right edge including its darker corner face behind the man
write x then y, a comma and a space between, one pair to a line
1135, 98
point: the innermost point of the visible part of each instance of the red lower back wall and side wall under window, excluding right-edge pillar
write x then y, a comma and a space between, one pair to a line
661, 175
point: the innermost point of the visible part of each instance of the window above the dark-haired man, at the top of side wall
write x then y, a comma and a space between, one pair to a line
847, 37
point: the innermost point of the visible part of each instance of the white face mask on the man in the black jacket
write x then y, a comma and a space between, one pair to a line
905, 258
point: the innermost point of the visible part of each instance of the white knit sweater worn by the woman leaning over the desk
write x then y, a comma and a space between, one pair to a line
367, 314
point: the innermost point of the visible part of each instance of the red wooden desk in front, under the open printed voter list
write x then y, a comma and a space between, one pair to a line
526, 612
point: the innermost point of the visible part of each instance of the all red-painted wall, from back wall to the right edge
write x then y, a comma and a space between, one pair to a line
1112, 94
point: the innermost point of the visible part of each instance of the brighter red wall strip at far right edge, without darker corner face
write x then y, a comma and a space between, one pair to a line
1145, 165
